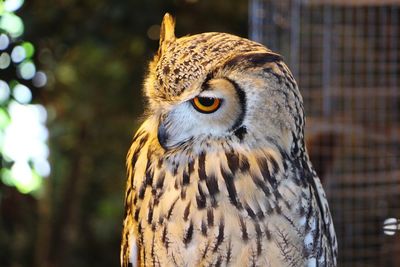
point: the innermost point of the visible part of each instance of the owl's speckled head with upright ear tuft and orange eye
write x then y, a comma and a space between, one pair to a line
219, 87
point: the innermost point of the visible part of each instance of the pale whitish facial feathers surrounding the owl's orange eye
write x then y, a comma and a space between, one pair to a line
184, 121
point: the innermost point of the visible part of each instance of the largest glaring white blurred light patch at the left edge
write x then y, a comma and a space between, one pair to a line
24, 141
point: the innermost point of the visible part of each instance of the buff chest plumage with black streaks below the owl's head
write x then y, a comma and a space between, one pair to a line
221, 208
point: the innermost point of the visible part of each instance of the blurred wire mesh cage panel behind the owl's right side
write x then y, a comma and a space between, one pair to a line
345, 55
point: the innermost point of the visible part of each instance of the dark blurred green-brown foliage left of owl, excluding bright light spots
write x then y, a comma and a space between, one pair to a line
95, 54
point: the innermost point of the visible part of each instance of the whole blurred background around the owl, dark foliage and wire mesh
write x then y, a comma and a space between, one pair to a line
71, 75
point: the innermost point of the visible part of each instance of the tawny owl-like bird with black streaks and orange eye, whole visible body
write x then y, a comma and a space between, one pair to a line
218, 173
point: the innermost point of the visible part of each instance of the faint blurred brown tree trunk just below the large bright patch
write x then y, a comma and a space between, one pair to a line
58, 223
